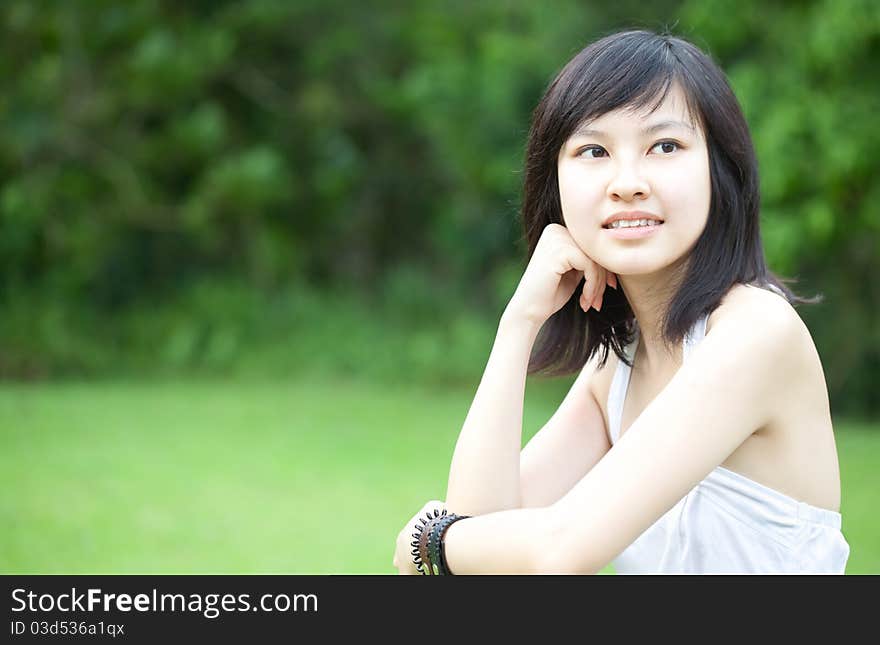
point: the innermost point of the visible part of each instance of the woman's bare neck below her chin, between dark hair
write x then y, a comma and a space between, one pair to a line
649, 296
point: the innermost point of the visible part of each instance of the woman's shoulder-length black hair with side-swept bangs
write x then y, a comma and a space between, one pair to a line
630, 70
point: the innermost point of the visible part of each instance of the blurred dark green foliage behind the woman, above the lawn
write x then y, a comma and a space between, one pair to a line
196, 185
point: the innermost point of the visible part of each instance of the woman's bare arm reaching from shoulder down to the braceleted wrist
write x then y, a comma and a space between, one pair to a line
728, 389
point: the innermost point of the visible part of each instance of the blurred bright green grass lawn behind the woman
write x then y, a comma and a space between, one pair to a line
290, 477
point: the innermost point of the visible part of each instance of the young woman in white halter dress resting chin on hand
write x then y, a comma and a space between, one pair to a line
697, 437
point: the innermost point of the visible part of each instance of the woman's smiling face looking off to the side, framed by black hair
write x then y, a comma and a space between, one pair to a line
622, 162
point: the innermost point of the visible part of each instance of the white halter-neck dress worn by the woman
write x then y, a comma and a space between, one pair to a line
728, 523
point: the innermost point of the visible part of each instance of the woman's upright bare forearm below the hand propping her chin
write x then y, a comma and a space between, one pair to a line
484, 474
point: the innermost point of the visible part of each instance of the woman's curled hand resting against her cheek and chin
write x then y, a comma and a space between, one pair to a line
554, 271
